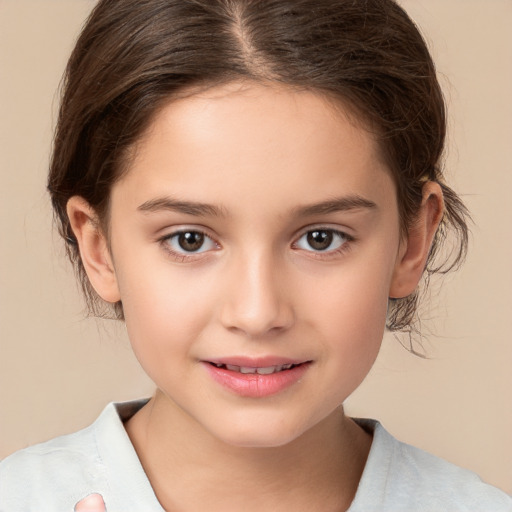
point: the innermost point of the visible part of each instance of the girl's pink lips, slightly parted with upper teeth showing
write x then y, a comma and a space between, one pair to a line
256, 378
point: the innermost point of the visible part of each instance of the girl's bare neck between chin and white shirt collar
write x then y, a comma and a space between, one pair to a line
190, 469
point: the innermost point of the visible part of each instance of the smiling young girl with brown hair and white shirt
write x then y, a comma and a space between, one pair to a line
255, 188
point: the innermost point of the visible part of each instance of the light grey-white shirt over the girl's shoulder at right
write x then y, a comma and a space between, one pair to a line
400, 477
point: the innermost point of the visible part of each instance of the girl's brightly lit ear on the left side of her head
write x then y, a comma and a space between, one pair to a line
94, 250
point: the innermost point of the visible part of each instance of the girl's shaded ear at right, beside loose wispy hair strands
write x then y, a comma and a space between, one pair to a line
414, 248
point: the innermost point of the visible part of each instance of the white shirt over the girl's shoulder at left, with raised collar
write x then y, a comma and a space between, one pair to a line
99, 459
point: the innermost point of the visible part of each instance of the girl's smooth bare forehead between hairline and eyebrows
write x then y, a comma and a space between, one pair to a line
254, 140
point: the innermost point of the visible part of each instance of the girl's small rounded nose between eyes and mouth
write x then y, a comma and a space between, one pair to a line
256, 301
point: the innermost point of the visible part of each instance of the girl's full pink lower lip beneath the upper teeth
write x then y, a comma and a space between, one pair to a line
255, 385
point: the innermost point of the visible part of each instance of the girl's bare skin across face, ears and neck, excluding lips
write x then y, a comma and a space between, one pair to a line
260, 156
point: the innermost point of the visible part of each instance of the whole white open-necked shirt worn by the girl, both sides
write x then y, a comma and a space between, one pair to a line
54, 476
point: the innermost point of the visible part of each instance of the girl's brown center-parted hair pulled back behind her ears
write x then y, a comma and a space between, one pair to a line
134, 55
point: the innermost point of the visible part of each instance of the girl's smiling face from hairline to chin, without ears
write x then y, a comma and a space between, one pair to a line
256, 227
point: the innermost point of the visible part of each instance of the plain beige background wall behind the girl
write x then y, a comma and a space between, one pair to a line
57, 369
